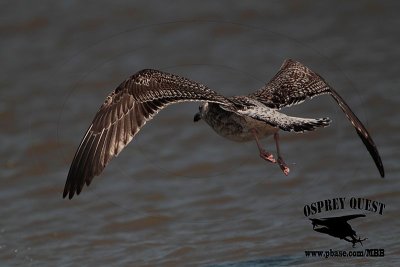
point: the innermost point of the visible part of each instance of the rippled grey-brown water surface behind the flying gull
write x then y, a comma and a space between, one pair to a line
179, 194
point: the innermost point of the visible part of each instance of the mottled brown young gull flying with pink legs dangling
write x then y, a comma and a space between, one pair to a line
239, 118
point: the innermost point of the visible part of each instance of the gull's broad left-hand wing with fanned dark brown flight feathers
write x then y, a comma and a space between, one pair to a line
124, 112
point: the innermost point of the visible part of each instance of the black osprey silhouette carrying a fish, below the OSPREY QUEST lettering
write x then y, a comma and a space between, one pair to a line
338, 227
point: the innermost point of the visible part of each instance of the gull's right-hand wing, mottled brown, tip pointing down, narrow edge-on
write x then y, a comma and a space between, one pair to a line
294, 83
